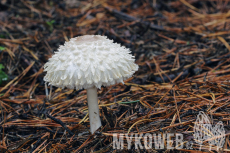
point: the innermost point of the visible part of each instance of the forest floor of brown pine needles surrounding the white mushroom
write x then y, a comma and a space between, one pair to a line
182, 48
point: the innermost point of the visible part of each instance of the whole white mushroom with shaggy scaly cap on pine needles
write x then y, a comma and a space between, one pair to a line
89, 62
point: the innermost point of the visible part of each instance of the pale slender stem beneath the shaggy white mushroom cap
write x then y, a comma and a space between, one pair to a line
94, 116
